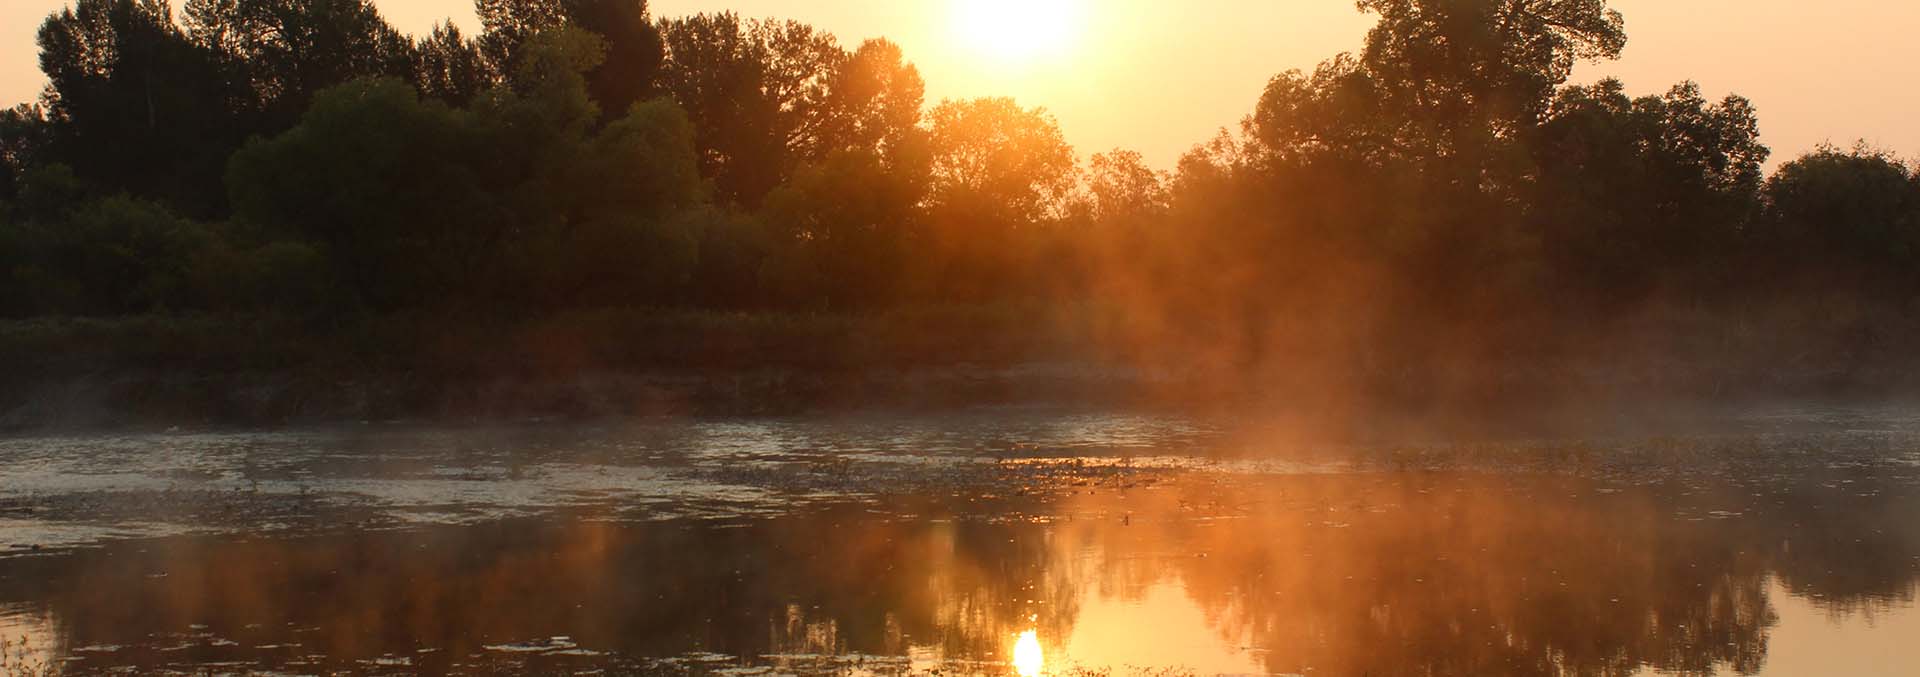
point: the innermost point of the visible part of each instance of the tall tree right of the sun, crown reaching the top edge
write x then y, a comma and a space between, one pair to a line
1414, 156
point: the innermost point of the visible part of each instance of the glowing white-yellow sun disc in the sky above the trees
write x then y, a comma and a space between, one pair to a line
1019, 32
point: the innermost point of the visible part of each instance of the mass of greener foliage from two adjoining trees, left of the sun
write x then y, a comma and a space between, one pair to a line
519, 200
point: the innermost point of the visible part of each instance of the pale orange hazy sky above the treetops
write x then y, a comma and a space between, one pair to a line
1161, 76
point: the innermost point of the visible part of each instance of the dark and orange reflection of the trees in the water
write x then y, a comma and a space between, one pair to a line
1435, 572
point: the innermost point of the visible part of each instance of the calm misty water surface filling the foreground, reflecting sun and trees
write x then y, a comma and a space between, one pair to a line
1011, 544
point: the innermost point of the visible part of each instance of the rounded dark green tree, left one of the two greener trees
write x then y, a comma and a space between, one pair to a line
383, 183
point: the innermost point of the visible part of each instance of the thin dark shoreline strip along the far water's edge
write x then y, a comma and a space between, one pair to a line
160, 400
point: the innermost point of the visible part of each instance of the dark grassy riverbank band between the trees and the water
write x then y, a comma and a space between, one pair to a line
274, 371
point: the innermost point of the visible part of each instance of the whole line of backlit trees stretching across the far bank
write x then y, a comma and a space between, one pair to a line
304, 156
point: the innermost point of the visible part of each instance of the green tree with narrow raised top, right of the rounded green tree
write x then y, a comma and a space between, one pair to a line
594, 214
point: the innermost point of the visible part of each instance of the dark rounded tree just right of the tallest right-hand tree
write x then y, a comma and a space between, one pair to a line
1633, 195
